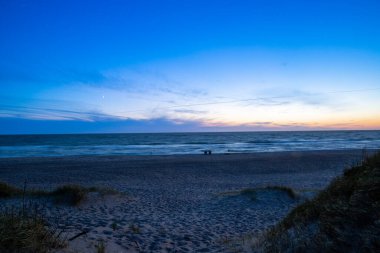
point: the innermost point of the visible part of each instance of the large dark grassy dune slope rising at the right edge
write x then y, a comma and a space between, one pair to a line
344, 217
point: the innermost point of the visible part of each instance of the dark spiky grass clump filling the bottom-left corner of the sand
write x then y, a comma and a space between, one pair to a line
24, 229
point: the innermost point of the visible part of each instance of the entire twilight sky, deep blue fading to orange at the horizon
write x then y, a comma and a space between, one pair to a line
191, 65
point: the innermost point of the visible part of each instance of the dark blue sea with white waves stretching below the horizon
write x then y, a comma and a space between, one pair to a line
183, 143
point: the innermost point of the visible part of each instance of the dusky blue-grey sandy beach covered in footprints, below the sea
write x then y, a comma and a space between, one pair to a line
177, 203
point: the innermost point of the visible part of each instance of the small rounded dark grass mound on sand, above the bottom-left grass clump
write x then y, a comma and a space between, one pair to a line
70, 194
